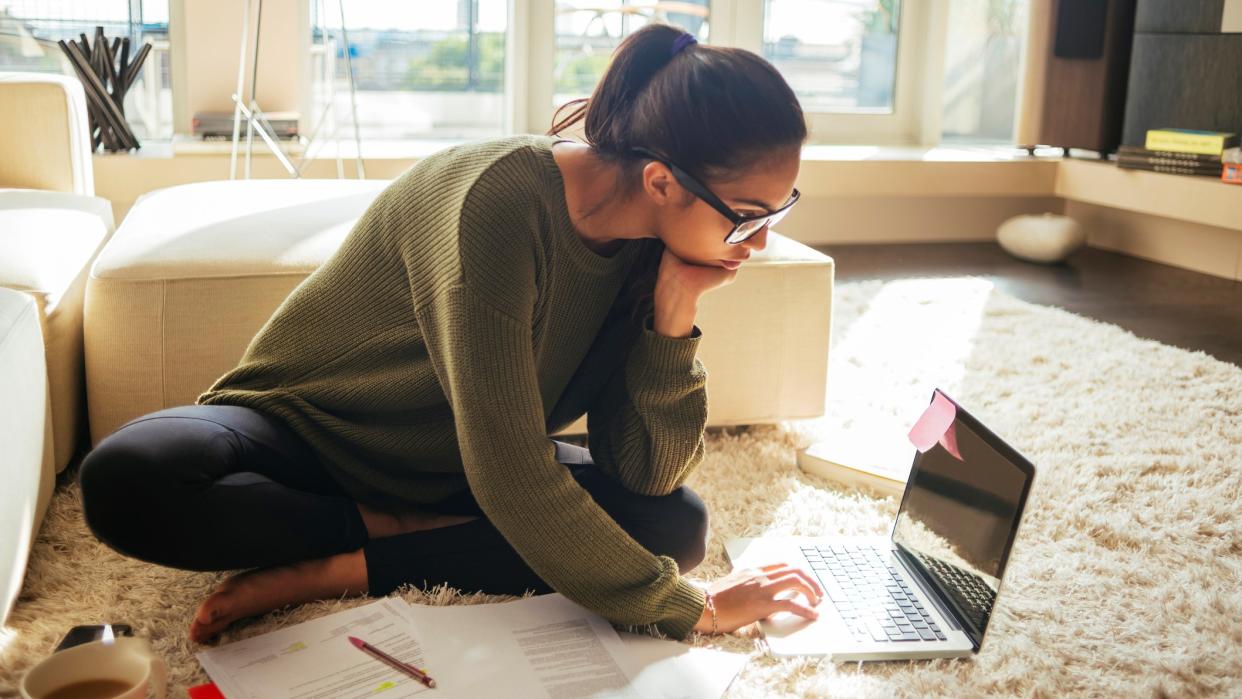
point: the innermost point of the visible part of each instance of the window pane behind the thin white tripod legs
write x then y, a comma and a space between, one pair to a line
433, 69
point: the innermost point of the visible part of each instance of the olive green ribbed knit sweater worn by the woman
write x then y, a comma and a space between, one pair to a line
463, 322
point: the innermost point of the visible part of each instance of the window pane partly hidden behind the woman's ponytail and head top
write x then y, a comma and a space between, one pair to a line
589, 32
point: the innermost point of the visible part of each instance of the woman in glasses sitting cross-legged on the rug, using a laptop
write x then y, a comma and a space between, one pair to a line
391, 423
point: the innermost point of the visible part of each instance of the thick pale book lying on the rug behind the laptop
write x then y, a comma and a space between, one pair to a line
881, 465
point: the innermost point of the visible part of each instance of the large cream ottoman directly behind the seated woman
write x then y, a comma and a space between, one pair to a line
196, 271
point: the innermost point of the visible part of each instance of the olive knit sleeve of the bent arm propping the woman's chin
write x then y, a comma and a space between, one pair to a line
646, 426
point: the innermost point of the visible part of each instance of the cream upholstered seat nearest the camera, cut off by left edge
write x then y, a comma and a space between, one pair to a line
27, 467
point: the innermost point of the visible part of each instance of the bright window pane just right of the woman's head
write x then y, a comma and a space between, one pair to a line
838, 55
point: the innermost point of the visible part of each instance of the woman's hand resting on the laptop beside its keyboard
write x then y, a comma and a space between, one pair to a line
750, 595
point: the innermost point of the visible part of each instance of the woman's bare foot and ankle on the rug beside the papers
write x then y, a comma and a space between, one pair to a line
263, 590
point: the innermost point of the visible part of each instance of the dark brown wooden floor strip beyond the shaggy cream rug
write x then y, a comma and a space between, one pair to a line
1169, 305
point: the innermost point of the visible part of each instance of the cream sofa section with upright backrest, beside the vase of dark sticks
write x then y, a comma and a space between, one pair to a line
52, 229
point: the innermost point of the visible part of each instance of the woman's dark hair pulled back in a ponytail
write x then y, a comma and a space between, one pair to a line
715, 111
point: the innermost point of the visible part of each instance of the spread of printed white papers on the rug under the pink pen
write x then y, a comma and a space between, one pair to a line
545, 646
